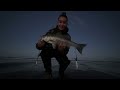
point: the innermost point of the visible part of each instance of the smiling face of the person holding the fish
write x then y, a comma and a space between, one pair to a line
62, 23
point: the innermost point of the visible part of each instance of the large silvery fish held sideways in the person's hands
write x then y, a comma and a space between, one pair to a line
55, 40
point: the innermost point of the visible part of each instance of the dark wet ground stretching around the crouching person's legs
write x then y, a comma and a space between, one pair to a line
28, 69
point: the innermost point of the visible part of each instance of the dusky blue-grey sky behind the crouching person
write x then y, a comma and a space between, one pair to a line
100, 30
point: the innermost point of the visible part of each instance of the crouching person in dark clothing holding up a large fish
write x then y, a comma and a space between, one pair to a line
61, 50
